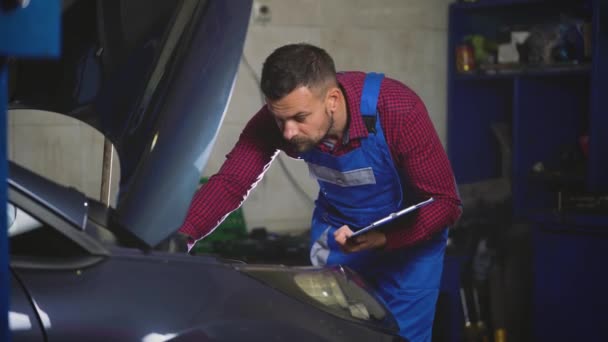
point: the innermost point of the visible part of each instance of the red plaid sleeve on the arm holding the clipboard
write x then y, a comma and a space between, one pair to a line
424, 165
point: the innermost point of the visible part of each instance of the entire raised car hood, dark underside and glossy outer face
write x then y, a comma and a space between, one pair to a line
155, 77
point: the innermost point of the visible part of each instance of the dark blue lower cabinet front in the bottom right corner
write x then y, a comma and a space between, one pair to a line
570, 282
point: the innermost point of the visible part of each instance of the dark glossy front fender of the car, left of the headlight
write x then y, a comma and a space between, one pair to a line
165, 295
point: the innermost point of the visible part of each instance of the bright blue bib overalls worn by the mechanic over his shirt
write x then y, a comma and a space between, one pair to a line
356, 189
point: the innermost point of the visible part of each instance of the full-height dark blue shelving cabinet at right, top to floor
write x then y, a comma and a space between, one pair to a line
554, 112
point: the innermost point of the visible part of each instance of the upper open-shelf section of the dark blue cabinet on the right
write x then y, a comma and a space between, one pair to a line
546, 107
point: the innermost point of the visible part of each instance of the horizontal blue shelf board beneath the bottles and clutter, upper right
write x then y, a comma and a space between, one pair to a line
553, 71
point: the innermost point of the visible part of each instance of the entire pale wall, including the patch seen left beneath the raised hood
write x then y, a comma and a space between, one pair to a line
406, 39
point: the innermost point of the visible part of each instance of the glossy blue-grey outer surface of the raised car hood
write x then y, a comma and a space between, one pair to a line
195, 107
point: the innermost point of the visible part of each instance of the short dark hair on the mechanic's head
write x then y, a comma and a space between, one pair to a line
295, 65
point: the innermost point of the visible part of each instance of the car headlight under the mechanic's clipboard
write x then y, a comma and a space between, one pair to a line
337, 290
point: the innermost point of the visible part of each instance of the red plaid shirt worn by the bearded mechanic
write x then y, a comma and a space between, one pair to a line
413, 142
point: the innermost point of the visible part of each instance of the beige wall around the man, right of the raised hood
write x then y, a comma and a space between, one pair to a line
405, 39
